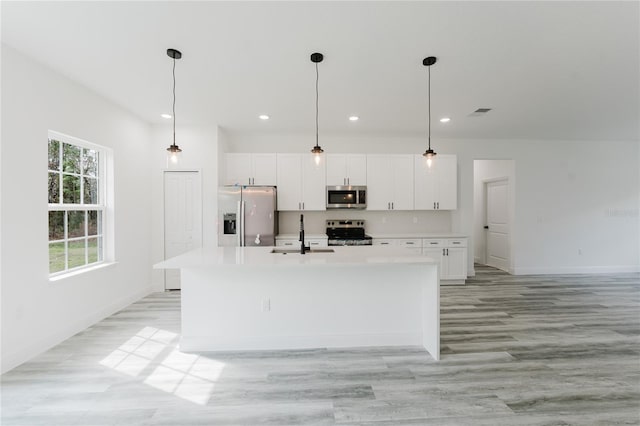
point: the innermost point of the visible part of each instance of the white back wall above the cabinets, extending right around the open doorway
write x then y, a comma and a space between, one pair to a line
570, 195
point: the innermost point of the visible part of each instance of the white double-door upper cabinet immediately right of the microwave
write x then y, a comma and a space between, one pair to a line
390, 182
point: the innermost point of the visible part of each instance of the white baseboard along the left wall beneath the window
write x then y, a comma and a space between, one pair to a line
24, 354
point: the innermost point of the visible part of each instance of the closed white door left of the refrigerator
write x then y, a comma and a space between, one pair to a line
182, 219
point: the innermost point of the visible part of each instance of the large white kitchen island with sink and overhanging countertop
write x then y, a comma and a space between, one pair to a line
248, 298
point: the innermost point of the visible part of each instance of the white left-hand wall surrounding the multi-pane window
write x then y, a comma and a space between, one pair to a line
38, 313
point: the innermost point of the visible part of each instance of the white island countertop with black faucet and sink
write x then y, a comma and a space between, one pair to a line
255, 256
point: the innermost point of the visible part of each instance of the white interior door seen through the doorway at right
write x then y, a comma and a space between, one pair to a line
497, 224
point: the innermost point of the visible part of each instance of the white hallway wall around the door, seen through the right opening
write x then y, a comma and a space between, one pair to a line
482, 171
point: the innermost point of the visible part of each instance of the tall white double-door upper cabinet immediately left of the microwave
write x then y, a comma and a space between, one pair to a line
301, 183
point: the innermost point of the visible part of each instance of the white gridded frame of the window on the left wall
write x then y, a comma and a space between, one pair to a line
102, 236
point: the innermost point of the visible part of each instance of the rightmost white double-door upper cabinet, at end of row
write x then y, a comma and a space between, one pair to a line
436, 187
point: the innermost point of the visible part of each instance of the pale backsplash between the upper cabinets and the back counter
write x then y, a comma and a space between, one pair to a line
377, 222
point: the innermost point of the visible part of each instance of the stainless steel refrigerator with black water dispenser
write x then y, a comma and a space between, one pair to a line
247, 216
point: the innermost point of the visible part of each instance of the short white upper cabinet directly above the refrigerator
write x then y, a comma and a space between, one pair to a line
250, 169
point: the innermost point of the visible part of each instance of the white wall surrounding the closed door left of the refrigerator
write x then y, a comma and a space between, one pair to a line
199, 146
